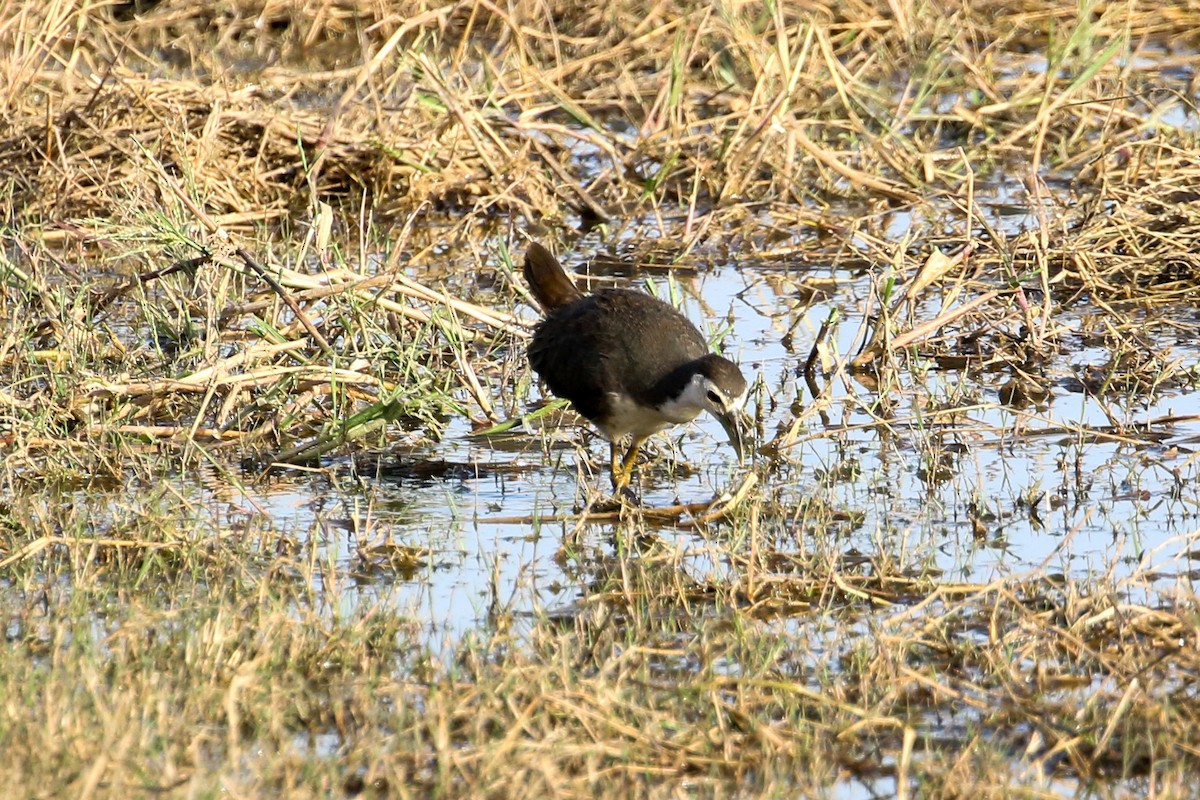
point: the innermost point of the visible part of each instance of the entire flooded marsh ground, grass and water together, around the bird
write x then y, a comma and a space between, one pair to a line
1055, 145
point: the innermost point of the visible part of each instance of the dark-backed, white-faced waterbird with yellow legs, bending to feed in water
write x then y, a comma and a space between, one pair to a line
628, 363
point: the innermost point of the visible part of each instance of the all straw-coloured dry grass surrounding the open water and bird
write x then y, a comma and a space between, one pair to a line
244, 234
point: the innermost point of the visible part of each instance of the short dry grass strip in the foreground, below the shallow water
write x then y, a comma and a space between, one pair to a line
202, 661
